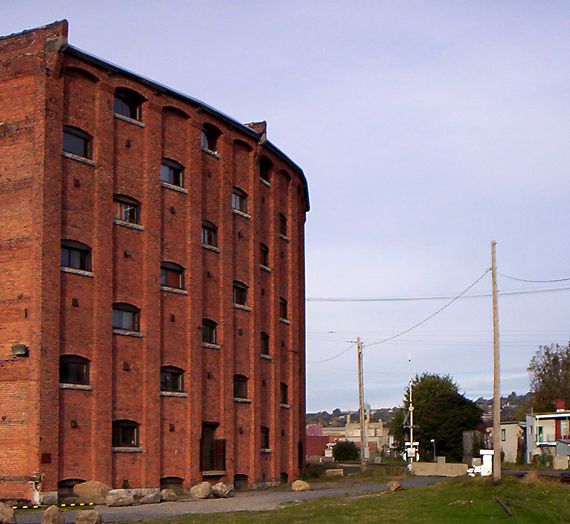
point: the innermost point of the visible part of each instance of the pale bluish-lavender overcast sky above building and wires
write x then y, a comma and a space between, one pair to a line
425, 129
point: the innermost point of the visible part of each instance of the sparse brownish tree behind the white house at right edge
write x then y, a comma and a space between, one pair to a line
549, 372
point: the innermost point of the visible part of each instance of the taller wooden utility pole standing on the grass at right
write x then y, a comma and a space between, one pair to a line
497, 372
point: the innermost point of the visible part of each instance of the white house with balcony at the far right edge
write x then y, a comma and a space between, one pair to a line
547, 433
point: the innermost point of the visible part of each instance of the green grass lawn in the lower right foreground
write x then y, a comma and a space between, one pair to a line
458, 500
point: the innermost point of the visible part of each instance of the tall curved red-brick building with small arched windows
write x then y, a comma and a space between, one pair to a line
152, 282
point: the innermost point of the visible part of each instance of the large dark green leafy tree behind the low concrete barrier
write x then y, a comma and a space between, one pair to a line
440, 413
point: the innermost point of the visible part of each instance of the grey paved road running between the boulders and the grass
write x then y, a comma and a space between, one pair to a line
244, 501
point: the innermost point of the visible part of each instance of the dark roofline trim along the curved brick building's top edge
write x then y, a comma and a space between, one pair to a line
157, 86
